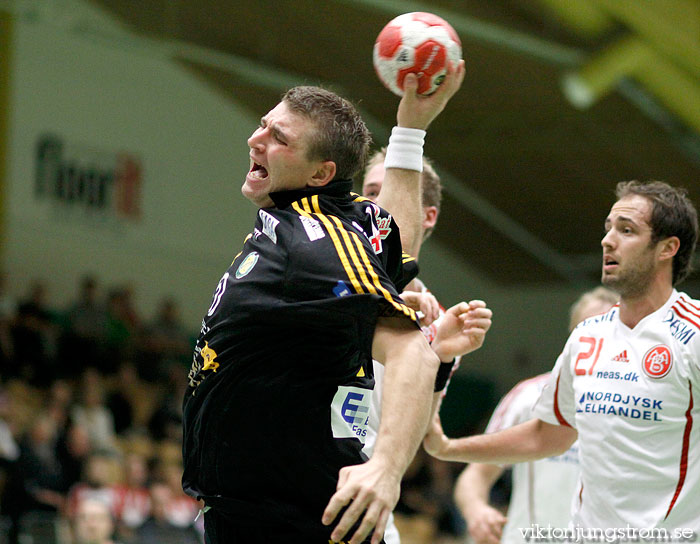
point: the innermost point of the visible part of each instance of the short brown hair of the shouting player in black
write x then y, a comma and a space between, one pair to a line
341, 135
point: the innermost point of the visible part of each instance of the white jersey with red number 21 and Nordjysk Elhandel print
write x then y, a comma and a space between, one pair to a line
633, 395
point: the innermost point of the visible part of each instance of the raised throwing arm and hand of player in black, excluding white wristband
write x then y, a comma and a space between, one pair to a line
401, 193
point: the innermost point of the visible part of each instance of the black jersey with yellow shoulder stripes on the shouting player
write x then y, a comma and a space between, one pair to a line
280, 385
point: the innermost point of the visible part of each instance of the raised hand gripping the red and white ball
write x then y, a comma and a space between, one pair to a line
418, 111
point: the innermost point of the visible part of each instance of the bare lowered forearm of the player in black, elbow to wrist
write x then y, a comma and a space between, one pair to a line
407, 401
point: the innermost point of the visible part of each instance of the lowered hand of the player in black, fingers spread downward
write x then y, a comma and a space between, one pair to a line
372, 489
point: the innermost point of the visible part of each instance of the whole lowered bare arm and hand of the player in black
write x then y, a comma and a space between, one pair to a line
373, 488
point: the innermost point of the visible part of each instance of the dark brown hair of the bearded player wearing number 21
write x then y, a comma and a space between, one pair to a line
672, 214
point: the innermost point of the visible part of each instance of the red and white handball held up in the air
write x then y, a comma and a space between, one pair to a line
420, 43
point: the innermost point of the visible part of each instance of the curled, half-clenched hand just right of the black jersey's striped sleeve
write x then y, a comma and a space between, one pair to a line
462, 329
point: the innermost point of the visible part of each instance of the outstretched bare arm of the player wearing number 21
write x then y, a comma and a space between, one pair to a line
528, 441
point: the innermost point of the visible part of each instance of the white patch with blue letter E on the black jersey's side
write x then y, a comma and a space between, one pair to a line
350, 412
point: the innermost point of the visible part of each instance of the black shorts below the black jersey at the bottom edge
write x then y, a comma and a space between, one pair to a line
223, 528
